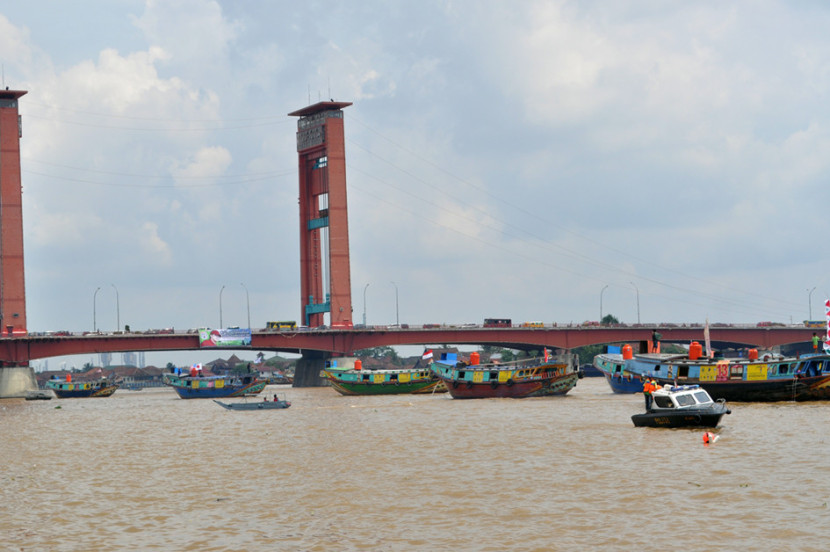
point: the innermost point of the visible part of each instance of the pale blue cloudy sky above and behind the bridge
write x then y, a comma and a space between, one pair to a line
660, 161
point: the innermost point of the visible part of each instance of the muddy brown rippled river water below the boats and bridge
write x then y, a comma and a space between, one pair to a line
145, 470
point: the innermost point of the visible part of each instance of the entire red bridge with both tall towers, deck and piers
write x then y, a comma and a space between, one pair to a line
325, 294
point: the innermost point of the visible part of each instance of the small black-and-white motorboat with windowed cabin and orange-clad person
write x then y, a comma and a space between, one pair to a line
682, 406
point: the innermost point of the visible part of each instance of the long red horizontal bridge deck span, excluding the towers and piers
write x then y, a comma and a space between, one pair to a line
18, 350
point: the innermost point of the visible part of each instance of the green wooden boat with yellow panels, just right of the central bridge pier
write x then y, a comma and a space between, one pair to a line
351, 379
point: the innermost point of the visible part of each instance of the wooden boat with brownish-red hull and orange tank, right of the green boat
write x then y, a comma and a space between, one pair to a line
526, 378
